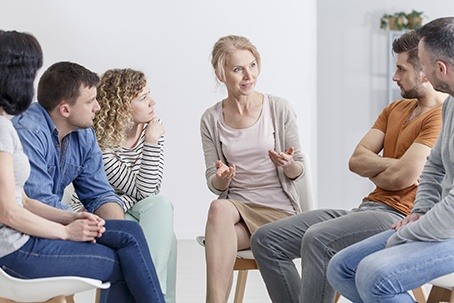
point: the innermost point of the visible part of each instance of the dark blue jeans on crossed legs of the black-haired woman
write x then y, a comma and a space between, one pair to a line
120, 256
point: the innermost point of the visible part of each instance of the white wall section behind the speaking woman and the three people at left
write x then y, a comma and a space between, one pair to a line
171, 42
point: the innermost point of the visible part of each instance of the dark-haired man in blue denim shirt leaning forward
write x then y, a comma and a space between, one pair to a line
58, 138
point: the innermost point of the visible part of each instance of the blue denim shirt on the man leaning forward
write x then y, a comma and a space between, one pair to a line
53, 167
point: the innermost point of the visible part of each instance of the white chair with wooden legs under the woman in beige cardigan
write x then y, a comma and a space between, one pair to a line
245, 259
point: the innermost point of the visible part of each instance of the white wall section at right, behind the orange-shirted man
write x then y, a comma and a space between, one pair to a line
351, 86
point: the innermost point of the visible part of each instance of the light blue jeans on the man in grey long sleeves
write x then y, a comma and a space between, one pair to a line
369, 272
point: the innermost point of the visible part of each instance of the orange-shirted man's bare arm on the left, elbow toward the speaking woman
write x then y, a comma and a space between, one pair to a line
365, 160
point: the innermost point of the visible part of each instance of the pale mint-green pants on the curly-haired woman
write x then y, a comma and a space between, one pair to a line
155, 215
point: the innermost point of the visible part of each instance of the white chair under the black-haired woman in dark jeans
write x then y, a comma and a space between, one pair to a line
54, 289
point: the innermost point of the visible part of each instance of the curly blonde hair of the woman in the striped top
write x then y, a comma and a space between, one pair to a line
116, 90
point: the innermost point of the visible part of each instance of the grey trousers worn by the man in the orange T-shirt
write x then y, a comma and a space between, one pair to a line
315, 237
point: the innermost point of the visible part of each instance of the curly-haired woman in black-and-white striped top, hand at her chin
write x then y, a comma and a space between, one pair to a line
131, 138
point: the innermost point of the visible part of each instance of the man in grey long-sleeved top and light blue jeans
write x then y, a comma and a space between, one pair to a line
420, 247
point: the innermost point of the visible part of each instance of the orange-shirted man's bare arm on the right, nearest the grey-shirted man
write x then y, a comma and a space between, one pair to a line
405, 171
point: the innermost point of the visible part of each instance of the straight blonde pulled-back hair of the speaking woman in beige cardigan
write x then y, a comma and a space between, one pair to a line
227, 45
